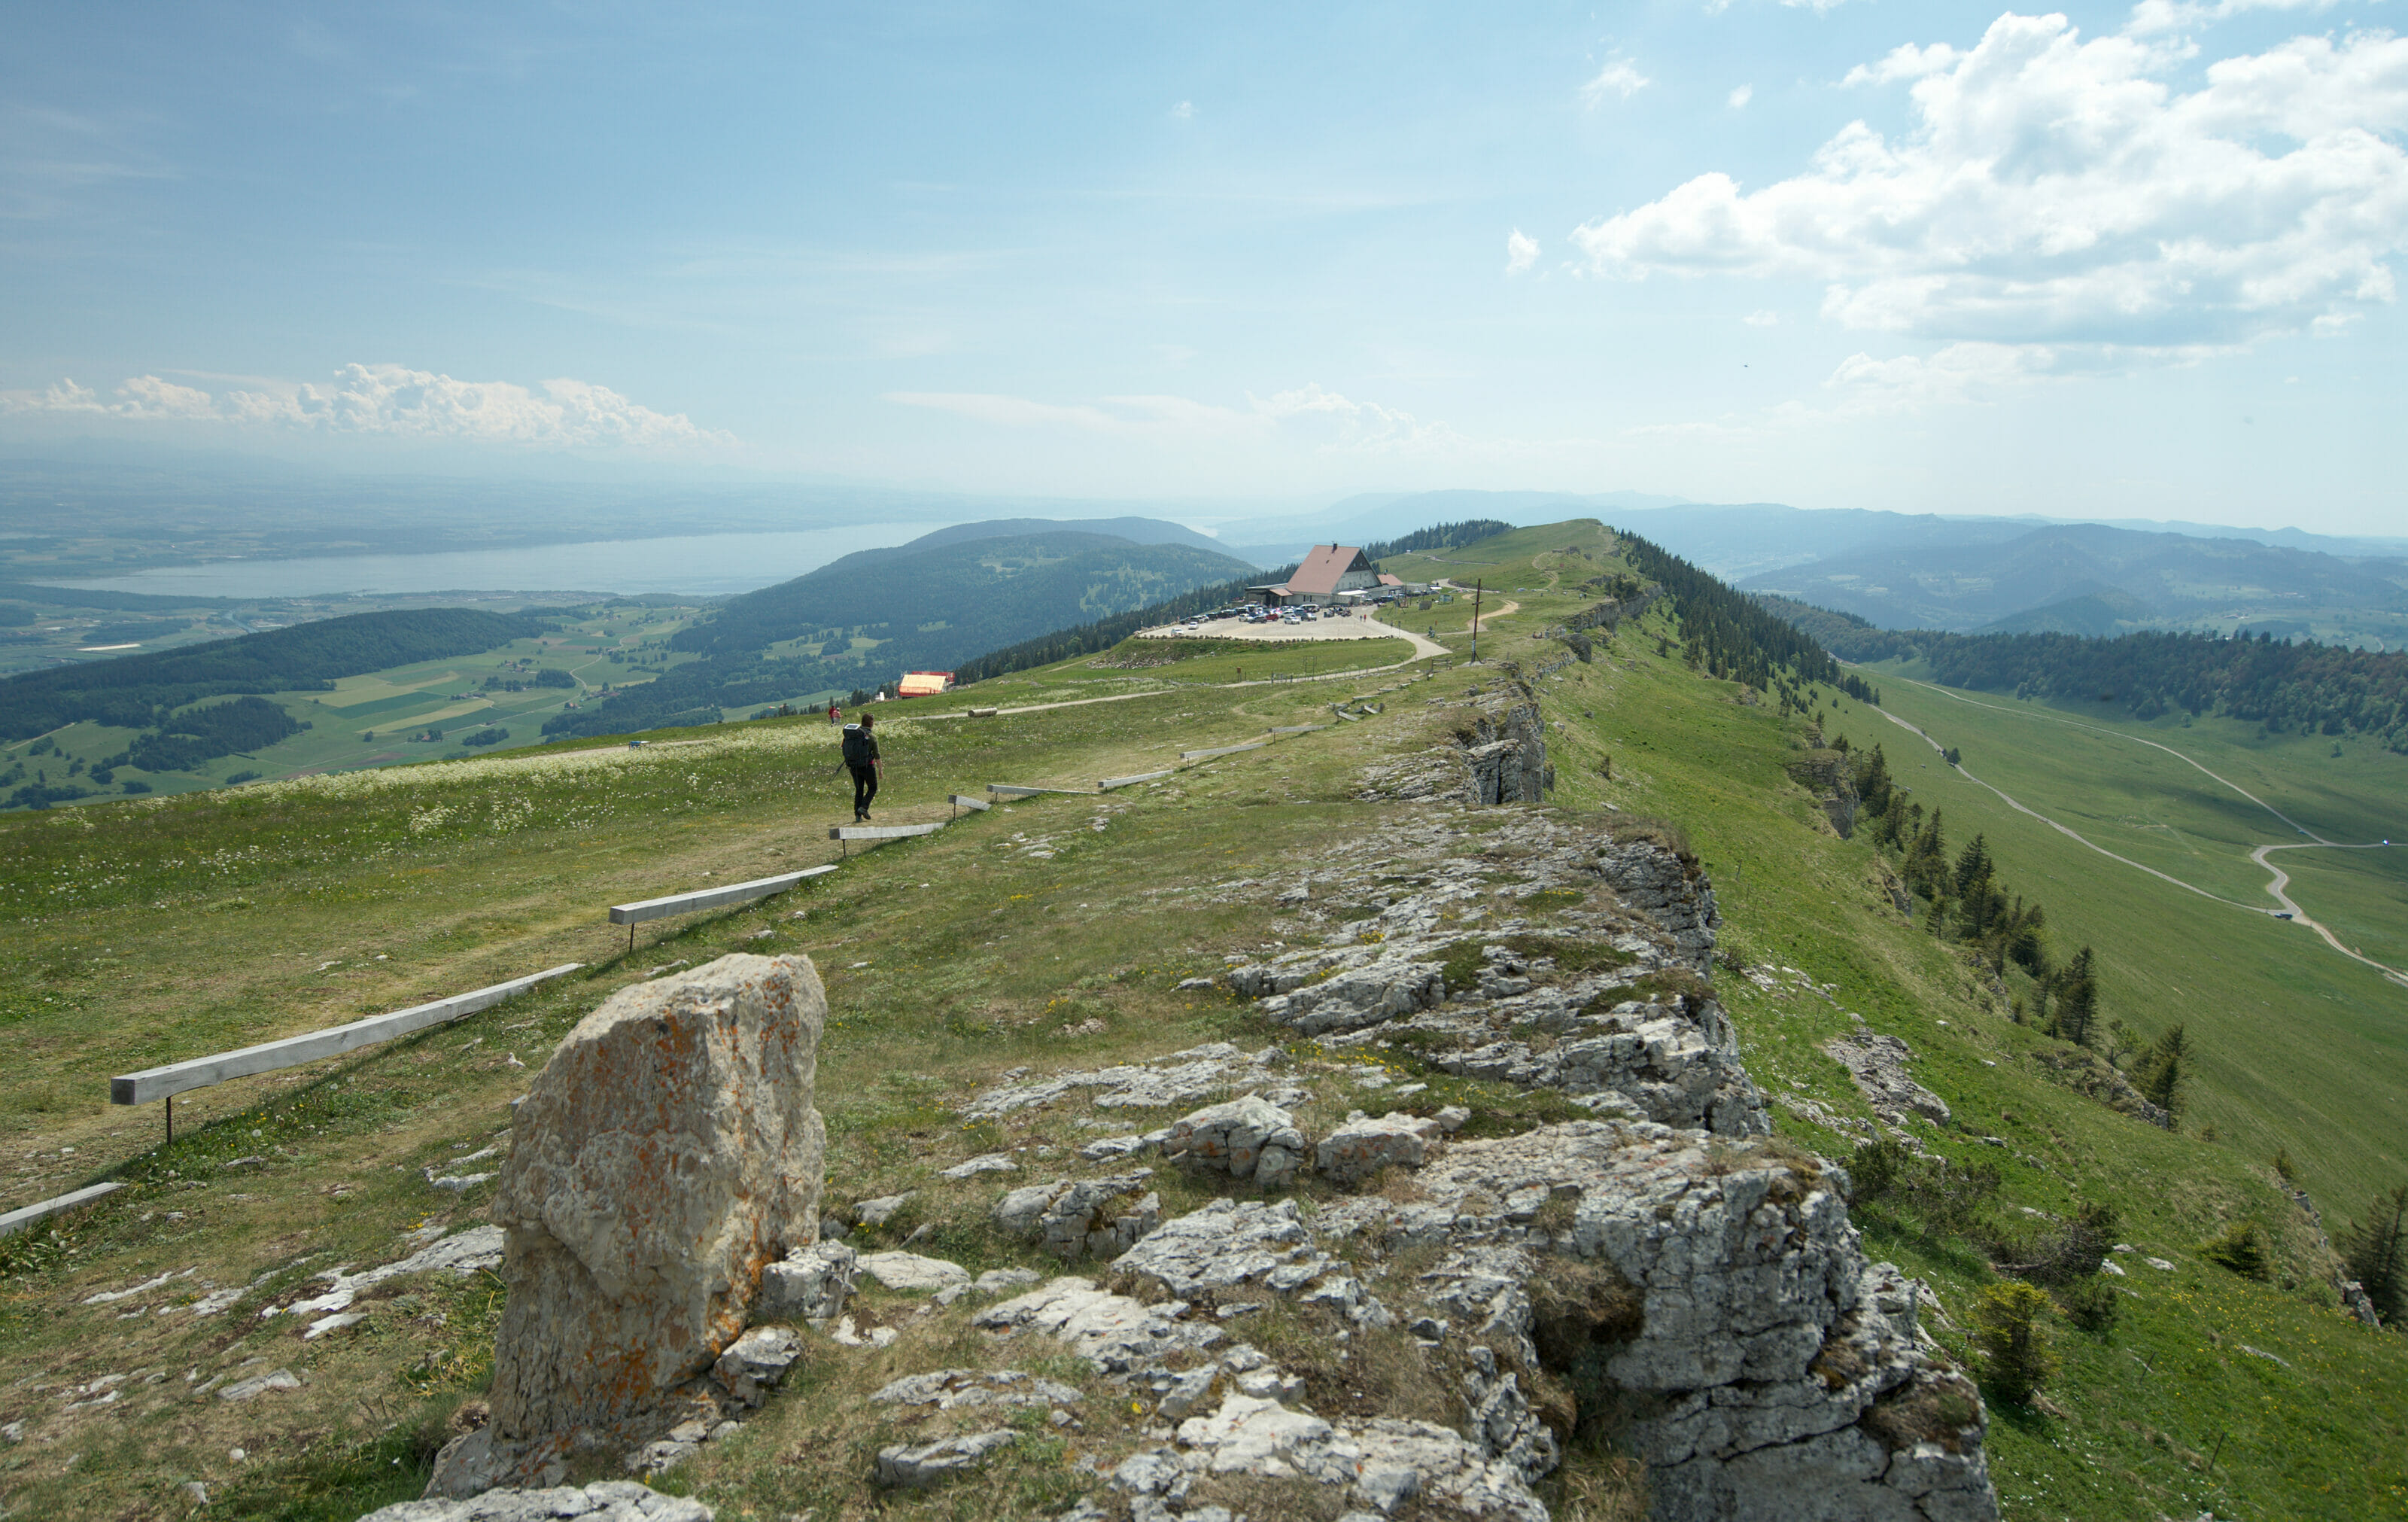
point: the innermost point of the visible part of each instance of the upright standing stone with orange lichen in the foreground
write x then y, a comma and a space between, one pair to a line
663, 1160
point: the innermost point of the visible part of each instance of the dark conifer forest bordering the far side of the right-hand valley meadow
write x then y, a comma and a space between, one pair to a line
2296, 688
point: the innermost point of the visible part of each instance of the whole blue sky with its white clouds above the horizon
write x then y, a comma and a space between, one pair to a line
1853, 254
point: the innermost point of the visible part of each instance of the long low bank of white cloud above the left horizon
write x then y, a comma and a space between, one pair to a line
394, 401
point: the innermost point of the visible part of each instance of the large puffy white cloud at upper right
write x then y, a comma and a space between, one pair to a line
2062, 191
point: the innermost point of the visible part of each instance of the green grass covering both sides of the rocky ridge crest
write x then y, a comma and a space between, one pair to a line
194, 924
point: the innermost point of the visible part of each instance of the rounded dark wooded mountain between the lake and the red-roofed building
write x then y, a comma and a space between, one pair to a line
870, 618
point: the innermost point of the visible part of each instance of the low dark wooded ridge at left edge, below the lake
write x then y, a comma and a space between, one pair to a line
143, 690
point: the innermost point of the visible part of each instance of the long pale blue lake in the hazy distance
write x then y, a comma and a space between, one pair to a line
690, 567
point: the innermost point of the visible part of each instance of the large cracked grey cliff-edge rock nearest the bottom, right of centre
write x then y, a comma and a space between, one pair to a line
1737, 1304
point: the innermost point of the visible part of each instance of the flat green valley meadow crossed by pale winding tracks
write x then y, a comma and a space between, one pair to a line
2298, 1046
